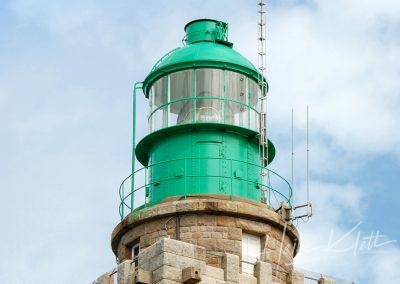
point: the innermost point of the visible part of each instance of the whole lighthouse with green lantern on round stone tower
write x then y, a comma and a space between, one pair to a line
204, 207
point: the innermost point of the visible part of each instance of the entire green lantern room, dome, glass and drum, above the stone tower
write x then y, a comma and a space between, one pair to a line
204, 120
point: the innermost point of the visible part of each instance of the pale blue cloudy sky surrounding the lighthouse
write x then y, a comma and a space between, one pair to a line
66, 73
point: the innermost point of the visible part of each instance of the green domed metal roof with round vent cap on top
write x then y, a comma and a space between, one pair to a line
208, 48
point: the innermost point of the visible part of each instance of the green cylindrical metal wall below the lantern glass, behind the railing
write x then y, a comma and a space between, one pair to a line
204, 161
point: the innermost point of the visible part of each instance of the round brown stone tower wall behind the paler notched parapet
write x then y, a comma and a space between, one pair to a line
216, 231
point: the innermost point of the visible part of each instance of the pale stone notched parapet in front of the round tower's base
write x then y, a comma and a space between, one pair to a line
173, 262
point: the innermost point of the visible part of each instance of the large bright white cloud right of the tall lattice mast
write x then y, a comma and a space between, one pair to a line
339, 66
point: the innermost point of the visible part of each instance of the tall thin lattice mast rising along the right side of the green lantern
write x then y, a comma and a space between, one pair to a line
263, 87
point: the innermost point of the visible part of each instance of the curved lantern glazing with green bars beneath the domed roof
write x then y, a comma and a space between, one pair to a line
204, 95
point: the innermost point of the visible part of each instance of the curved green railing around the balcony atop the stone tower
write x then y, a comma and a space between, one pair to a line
134, 189
